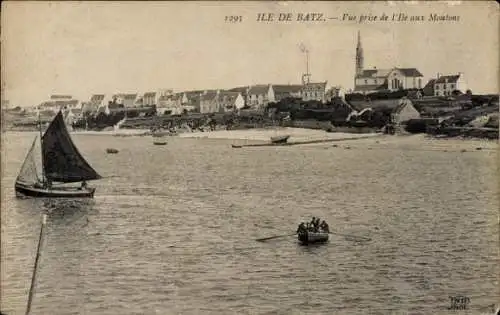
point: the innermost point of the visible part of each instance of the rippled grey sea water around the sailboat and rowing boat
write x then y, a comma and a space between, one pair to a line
174, 231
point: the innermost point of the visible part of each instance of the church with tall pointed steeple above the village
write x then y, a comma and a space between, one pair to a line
378, 80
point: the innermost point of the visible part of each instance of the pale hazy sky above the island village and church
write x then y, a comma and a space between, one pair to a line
82, 48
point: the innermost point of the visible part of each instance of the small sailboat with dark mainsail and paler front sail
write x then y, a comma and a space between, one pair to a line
61, 164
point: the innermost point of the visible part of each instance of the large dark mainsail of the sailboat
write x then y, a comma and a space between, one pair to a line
61, 160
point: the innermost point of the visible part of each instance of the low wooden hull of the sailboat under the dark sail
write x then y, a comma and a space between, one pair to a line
23, 190
